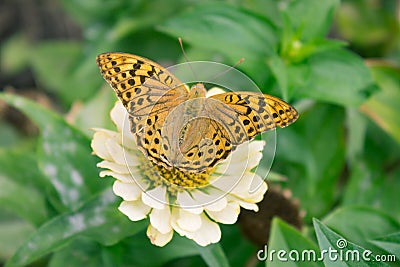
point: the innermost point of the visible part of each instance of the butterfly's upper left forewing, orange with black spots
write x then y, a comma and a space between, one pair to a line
138, 82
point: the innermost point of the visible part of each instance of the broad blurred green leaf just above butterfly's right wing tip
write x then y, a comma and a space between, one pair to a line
336, 76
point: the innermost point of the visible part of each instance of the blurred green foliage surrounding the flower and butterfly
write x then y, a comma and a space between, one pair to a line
336, 62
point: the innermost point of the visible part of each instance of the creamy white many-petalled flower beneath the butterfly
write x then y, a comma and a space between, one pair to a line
194, 211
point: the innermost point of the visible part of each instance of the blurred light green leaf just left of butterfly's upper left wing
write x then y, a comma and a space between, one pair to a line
72, 76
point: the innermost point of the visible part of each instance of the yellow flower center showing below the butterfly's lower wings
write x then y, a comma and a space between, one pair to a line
174, 179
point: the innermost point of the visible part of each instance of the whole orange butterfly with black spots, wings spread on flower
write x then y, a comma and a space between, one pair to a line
178, 127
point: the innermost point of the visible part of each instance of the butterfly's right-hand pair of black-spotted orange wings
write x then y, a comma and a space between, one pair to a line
224, 122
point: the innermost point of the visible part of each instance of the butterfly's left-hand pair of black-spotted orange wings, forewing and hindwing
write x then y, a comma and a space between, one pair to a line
148, 92
